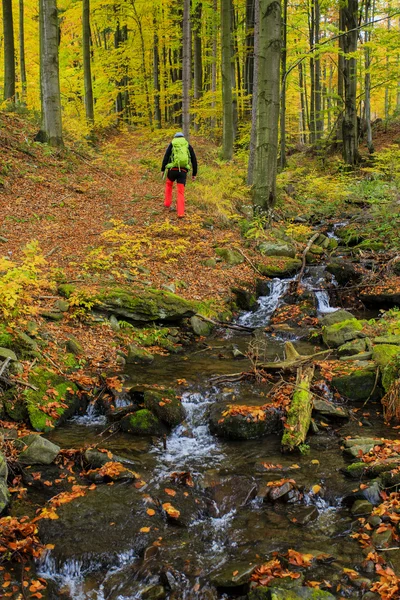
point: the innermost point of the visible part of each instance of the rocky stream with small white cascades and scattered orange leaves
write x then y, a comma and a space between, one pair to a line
107, 547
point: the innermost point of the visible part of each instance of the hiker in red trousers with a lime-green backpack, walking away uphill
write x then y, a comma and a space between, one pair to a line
177, 159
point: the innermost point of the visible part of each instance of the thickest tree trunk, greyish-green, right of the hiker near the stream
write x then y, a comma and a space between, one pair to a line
264, 188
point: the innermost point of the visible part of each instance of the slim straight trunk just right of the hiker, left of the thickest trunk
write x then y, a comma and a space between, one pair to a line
227, 98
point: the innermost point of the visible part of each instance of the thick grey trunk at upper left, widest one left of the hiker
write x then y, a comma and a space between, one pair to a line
51, 129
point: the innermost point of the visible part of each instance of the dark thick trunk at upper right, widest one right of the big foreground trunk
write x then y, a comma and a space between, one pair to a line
351, 155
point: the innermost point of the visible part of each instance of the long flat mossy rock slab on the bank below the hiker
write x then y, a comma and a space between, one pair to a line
149, 306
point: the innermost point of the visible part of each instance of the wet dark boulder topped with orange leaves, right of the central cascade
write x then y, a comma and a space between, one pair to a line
244, 423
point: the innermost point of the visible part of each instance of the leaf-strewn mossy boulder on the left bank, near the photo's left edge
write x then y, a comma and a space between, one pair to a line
52, 388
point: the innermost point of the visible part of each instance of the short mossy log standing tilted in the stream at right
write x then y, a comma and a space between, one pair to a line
299, 413
